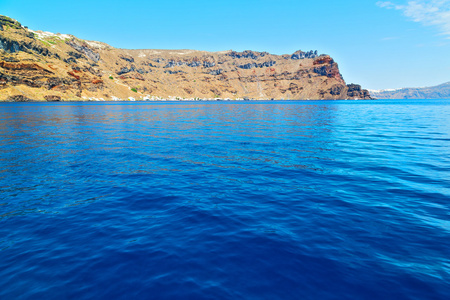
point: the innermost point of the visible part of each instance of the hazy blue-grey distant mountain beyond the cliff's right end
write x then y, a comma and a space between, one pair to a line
441, 91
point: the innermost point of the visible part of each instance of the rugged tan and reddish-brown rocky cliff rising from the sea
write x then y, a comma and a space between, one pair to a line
44, 66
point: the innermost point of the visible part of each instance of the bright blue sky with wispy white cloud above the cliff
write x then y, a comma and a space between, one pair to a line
378, 44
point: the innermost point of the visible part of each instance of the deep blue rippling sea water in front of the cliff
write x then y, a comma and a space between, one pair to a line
206, 200
